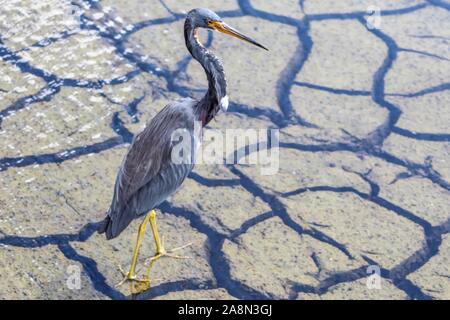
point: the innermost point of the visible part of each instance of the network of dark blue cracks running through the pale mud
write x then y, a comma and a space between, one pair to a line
286, 116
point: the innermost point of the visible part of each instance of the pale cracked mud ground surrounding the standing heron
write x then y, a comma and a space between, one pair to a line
364, 174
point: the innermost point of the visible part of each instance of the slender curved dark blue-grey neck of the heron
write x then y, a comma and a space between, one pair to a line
216, 97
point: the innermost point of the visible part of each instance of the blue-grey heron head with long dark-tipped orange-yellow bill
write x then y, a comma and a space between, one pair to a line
205, 18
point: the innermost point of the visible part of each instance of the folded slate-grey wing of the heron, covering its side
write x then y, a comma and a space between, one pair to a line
147, 175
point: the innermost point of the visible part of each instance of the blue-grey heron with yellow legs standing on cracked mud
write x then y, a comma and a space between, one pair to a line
147, 175
